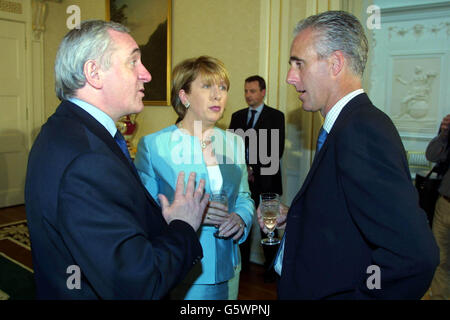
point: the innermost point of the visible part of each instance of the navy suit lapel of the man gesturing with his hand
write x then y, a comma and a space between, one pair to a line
100, 131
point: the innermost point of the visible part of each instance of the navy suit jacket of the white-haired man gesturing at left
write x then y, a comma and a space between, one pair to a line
87, 207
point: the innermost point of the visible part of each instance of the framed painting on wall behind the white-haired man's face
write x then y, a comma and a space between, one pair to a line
149, 22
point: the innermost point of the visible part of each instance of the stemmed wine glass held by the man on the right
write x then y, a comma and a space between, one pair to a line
270, 209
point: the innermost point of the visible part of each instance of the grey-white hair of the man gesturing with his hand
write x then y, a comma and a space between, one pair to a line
91, 41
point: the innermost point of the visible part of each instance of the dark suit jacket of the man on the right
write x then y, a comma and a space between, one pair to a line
357, 208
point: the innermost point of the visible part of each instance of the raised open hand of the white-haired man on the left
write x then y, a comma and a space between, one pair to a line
188, 207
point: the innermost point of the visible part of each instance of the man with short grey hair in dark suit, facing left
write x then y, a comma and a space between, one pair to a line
355, 229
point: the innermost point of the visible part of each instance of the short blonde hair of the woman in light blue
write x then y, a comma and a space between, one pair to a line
212, 70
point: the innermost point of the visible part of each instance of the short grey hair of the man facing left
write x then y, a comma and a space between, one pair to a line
338, 30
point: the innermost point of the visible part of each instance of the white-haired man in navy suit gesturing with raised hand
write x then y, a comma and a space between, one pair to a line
95, 231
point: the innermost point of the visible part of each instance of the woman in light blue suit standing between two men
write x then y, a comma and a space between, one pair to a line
199, 95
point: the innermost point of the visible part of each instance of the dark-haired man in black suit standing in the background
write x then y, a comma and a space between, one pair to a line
260, 125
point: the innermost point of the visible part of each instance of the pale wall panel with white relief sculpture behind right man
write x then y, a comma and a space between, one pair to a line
410, 81
